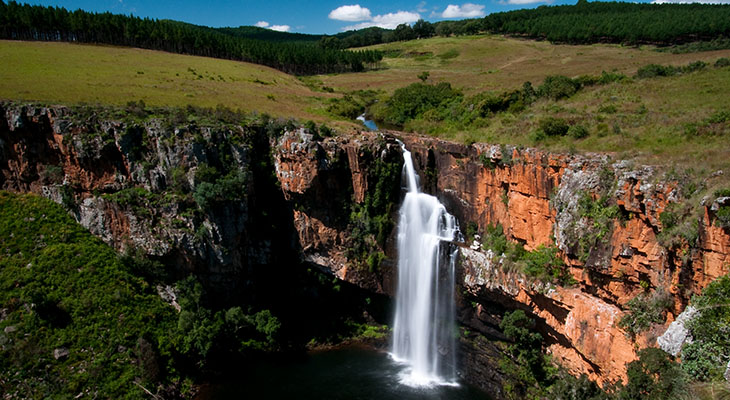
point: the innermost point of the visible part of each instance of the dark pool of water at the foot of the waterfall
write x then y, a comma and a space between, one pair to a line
349, 373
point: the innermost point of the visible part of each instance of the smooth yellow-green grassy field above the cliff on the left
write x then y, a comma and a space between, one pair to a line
70, 74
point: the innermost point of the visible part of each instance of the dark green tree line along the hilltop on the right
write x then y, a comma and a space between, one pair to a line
584, 22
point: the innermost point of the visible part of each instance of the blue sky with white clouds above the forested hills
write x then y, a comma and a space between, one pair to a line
318, 17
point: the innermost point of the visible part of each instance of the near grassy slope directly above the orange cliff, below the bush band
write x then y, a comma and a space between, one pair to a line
649, 122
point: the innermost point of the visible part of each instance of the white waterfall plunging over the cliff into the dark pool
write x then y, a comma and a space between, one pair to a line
423, 331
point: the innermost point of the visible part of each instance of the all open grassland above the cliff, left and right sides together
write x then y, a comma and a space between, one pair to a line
652, 120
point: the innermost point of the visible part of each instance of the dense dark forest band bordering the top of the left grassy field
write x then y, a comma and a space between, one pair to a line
26, 22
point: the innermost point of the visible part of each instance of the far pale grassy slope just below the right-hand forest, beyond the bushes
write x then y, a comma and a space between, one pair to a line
479, 63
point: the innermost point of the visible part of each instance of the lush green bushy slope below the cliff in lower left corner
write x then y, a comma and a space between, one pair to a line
74, 319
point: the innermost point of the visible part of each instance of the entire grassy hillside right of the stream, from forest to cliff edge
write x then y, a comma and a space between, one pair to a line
677, 121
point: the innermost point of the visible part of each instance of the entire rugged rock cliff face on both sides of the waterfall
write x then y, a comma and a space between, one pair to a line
141, 187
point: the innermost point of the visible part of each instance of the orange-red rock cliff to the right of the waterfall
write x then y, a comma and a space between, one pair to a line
540, 200
